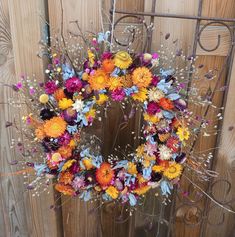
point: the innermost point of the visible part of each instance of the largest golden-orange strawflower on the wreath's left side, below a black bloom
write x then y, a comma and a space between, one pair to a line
55, 127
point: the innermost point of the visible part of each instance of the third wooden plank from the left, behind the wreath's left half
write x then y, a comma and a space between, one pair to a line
79, 219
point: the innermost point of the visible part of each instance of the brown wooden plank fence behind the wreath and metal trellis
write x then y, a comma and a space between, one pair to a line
22, 26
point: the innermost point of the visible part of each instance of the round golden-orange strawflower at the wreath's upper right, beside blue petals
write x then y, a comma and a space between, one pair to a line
141, 77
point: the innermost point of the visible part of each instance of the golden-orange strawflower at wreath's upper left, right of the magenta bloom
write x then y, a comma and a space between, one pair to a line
98, 80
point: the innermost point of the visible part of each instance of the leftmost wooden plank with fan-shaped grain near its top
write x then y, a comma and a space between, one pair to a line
13, 219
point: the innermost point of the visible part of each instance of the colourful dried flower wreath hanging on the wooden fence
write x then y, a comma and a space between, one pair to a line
71, 100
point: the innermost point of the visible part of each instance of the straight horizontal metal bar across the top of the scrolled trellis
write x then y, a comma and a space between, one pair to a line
167, 15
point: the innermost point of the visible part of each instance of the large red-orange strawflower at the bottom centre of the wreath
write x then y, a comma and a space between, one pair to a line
104, 174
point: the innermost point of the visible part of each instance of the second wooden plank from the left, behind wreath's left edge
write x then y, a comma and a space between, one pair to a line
26, 32
